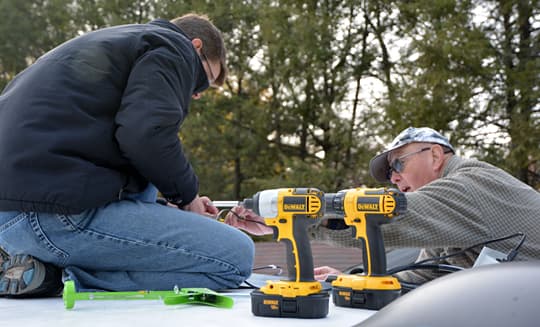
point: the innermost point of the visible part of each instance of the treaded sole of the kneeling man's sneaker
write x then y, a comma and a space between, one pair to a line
21, 275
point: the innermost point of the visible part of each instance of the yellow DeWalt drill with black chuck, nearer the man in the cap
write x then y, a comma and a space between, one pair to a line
364, 210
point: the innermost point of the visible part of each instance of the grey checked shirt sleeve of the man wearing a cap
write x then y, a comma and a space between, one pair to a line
444, 213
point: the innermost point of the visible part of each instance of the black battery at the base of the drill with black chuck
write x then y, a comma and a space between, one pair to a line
363, 299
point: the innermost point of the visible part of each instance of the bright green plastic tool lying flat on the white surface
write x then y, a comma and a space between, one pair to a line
177, 296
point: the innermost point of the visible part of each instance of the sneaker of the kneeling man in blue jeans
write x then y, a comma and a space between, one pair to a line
25, 276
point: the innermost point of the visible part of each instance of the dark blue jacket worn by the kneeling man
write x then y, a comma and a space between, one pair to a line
98, 116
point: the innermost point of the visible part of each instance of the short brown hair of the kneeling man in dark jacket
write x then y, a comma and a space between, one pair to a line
200, 26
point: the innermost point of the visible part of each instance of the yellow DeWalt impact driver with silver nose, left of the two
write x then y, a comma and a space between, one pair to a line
289, 211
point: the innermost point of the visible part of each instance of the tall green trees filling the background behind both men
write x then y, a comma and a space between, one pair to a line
298, 108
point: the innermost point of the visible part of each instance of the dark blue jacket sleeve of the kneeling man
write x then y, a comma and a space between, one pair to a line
153, 106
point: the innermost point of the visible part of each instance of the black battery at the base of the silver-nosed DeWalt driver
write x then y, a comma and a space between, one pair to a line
308, 306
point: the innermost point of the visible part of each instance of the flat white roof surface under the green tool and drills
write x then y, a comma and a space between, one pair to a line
153, 313
